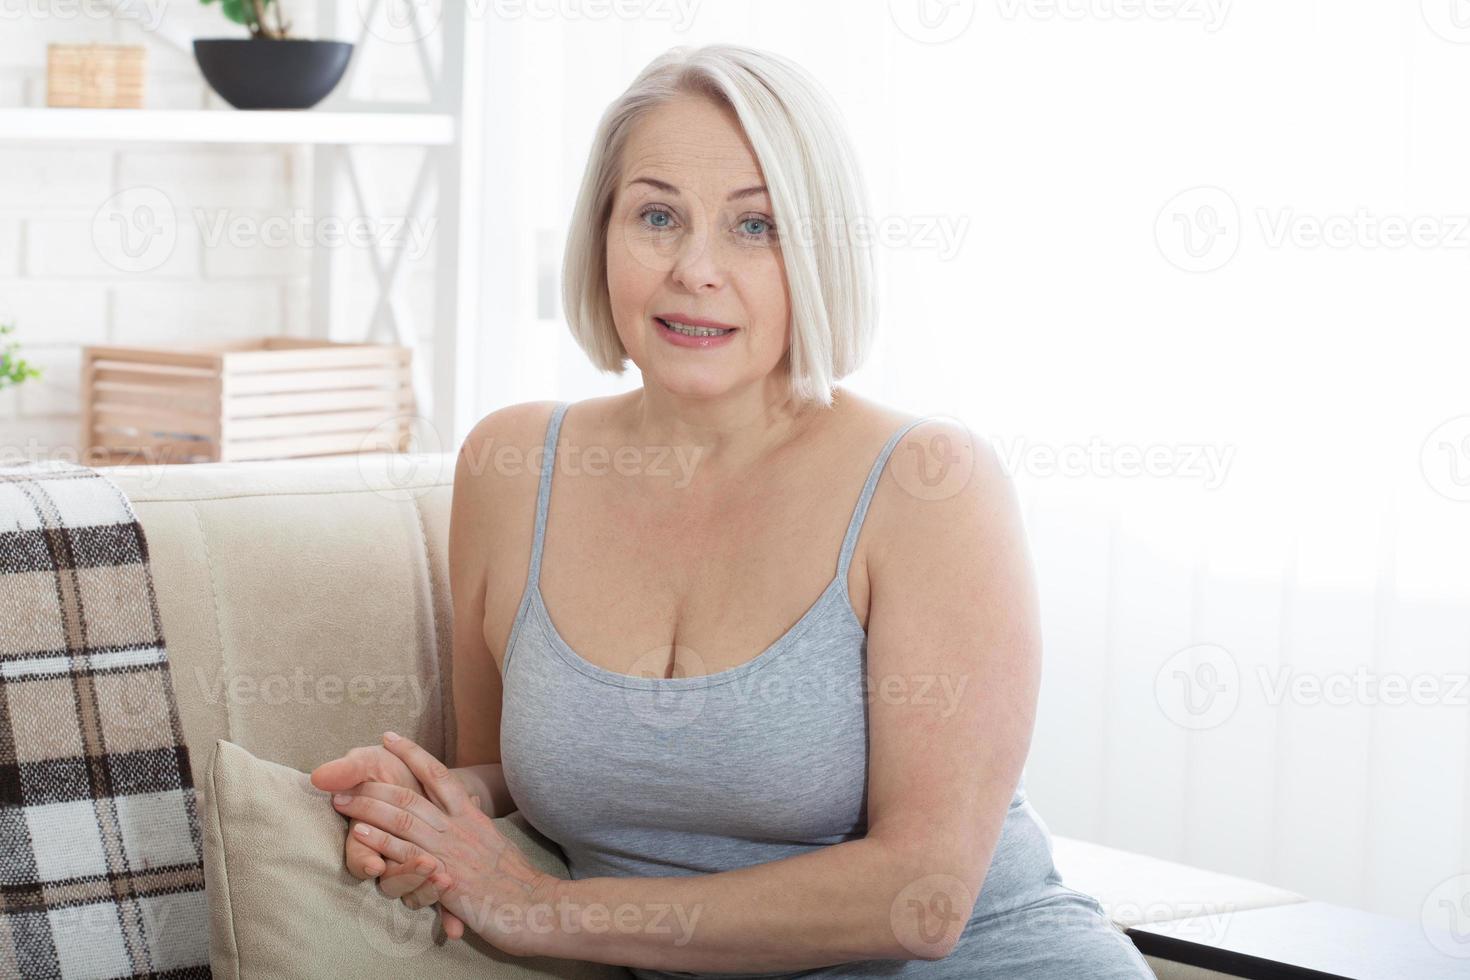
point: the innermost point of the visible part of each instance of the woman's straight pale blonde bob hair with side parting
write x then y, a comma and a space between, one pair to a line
815, 186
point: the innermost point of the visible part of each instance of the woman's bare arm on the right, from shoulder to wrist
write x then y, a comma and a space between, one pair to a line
955, 659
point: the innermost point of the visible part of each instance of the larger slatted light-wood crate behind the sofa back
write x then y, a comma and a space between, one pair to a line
262, 399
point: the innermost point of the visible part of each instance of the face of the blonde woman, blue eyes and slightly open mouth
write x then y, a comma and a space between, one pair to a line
692, 237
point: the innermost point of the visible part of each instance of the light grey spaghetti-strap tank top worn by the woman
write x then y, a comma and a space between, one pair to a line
698, 775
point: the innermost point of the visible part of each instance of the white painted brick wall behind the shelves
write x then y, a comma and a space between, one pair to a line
67, 277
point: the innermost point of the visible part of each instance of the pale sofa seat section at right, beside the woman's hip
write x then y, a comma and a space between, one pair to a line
1137, 888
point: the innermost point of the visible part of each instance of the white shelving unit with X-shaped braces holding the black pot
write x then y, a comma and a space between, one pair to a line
451, 129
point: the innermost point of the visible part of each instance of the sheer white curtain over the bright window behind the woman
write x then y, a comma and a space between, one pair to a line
1197, 271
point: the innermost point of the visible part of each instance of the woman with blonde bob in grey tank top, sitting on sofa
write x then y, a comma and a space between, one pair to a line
849, 800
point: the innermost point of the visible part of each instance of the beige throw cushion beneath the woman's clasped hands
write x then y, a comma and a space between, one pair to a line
284, 906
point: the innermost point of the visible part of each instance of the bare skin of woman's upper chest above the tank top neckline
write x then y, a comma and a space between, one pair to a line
656, 587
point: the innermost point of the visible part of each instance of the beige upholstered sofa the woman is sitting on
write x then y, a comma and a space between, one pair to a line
271, 577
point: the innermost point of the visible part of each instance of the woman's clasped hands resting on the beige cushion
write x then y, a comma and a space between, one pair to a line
437, 850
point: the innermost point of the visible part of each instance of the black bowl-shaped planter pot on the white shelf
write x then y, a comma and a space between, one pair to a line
268, 74
